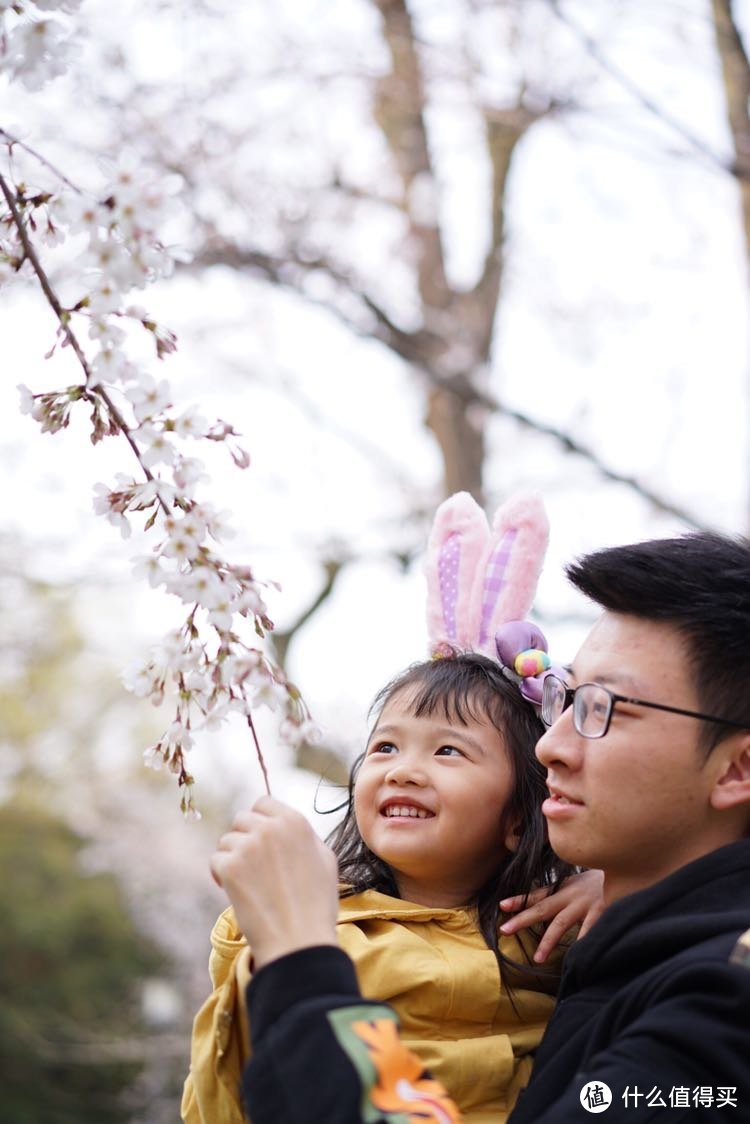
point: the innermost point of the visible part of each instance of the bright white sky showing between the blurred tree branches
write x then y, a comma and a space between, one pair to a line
624, 321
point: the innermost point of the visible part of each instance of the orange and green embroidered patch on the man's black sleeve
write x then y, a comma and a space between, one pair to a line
395, 1084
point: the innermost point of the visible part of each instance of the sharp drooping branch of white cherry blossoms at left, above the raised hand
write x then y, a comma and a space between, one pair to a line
210, 666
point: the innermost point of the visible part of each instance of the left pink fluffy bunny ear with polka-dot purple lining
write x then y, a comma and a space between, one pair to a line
458, 543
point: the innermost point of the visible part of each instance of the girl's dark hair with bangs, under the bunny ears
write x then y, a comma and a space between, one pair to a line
463, 687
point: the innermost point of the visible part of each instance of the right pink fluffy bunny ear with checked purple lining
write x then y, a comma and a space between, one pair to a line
507, 581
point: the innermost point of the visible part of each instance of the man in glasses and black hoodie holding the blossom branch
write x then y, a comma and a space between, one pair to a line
648, 758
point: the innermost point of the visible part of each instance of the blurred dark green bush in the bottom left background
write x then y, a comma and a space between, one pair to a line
70, 965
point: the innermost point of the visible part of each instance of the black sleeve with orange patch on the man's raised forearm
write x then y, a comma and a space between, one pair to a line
323, 1054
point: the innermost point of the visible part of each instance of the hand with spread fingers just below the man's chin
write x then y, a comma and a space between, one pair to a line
579, 900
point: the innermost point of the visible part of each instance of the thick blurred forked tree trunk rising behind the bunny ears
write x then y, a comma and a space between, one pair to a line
460, 325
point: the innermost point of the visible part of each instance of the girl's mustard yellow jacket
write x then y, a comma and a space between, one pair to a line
431, 965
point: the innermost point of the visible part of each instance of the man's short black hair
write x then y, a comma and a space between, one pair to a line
700, 584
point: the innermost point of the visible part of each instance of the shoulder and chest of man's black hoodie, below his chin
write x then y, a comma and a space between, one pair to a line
652, 1004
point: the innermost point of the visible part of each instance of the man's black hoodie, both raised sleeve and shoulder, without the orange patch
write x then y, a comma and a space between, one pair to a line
653, 1008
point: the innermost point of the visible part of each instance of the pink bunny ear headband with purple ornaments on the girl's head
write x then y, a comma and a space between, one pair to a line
482, 583
